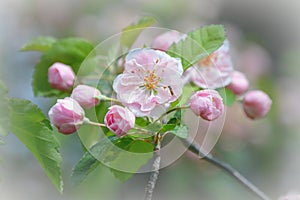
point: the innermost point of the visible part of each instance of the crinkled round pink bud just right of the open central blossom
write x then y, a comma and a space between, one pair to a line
207, 104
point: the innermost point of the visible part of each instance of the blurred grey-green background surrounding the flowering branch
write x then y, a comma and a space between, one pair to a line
265, 45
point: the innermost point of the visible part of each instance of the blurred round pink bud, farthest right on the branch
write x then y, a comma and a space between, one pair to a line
256, 104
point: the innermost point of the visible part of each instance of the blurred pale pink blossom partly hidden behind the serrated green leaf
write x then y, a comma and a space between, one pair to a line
213, 71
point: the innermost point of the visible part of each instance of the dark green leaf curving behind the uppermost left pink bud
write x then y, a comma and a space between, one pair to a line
70, 51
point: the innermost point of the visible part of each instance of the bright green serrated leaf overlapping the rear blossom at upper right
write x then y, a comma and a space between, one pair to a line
198, 44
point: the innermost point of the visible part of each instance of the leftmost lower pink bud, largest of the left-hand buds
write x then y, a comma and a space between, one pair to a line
66, 115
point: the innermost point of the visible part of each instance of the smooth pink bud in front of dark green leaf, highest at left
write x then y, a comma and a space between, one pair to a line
61, 76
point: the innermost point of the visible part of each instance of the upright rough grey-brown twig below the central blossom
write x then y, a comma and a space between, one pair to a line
155, 171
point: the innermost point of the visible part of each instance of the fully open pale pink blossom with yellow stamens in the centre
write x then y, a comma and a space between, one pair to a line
151, 79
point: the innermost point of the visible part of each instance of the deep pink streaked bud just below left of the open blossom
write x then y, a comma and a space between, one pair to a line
119, 120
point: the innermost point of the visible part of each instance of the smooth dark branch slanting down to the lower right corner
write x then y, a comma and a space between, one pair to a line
195, 148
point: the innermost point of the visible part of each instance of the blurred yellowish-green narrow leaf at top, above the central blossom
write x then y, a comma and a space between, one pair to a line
131, 32
